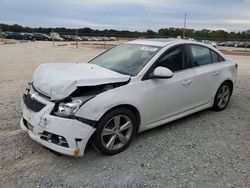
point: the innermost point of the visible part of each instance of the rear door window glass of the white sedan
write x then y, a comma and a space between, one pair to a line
201, 55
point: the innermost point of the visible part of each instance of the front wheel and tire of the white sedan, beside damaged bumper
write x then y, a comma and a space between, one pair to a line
115, 131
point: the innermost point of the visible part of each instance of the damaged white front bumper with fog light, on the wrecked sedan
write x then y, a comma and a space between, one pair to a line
63, 135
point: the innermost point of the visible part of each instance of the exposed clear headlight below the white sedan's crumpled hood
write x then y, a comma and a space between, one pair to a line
68, 109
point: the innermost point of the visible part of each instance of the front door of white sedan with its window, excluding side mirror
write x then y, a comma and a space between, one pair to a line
169, 97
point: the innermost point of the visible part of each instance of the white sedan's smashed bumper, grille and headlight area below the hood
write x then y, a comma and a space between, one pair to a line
54, 123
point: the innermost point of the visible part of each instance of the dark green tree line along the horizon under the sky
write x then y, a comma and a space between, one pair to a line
164, 32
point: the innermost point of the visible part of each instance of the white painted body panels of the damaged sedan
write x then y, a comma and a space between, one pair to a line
158, 101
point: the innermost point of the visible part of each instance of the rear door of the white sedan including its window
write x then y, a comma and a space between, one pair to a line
207, 74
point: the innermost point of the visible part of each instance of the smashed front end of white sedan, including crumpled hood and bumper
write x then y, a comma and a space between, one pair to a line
58, 91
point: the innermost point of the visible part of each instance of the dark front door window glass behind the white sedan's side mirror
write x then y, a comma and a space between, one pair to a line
174, 59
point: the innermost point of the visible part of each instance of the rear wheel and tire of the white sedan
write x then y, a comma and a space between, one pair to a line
222, 97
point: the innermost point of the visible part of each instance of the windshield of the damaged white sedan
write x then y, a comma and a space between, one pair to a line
126, 59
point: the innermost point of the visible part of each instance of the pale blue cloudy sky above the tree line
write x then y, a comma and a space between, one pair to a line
133, 15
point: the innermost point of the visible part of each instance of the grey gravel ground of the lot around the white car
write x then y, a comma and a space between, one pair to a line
207, 149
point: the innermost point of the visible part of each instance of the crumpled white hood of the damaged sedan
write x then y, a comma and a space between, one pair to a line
58, 80
